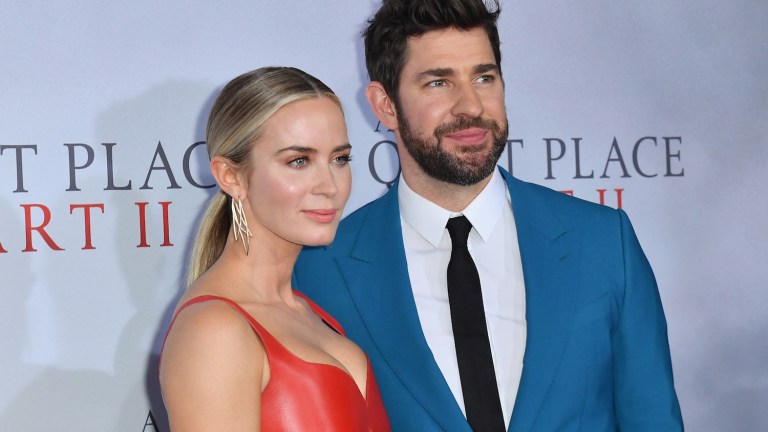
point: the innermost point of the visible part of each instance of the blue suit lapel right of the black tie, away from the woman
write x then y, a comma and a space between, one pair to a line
550, 270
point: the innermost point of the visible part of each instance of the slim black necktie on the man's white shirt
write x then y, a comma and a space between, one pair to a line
473, 349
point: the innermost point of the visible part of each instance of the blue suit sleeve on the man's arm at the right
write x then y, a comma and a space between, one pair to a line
645, 398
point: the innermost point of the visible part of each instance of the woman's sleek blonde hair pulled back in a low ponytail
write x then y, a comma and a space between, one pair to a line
236, 122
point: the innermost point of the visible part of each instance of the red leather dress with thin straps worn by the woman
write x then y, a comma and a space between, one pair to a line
306, 396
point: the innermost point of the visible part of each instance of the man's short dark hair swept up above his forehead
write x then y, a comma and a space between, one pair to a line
388, 31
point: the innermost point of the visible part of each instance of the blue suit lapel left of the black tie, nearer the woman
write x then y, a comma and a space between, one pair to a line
376, 274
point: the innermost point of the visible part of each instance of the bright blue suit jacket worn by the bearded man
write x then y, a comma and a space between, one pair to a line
596, 356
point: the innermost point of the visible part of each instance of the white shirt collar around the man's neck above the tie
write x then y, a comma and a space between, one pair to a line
429, 219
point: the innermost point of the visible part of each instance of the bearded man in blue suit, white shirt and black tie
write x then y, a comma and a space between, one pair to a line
571, 336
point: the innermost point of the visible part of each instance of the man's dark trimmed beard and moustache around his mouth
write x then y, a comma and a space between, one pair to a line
441, 165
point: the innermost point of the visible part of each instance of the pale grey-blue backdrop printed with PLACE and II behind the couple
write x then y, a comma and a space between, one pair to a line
102, 103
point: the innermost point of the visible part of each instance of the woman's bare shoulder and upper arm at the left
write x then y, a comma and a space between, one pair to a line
213, 364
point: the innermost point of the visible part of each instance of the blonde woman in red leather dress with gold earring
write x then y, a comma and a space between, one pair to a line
244, 351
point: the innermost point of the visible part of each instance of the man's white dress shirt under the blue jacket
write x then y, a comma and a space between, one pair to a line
494, 249
